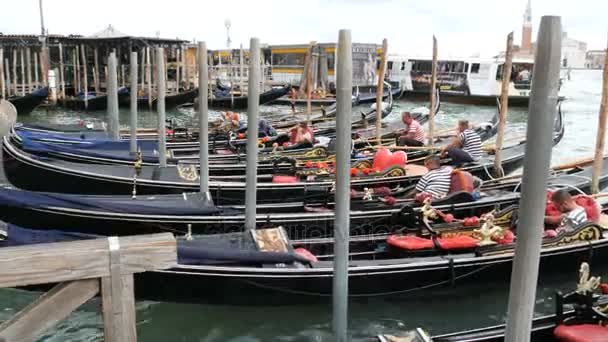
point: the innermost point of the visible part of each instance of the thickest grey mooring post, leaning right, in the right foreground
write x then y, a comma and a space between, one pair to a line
539, 138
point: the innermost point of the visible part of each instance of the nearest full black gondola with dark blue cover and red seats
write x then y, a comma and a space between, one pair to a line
265, 267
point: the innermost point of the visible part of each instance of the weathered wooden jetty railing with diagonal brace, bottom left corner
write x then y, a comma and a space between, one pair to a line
82, 269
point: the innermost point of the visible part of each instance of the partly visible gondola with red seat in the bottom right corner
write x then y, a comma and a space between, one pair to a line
581, 322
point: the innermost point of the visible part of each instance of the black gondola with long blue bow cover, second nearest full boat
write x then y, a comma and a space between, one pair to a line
124, 215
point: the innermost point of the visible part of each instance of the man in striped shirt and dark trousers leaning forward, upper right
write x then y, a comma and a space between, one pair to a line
466, 146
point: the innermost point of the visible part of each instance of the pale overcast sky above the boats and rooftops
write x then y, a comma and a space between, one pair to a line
462, 27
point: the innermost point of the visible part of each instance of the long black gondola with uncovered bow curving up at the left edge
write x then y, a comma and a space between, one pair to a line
44, 174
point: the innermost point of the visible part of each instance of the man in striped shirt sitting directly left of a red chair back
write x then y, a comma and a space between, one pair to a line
436, 182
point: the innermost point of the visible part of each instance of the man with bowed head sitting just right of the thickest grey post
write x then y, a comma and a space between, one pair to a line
572, 213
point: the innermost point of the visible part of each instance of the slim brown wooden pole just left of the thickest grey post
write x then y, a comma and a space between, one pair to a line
504, 106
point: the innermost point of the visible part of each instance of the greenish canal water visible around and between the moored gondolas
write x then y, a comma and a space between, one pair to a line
439, 311
